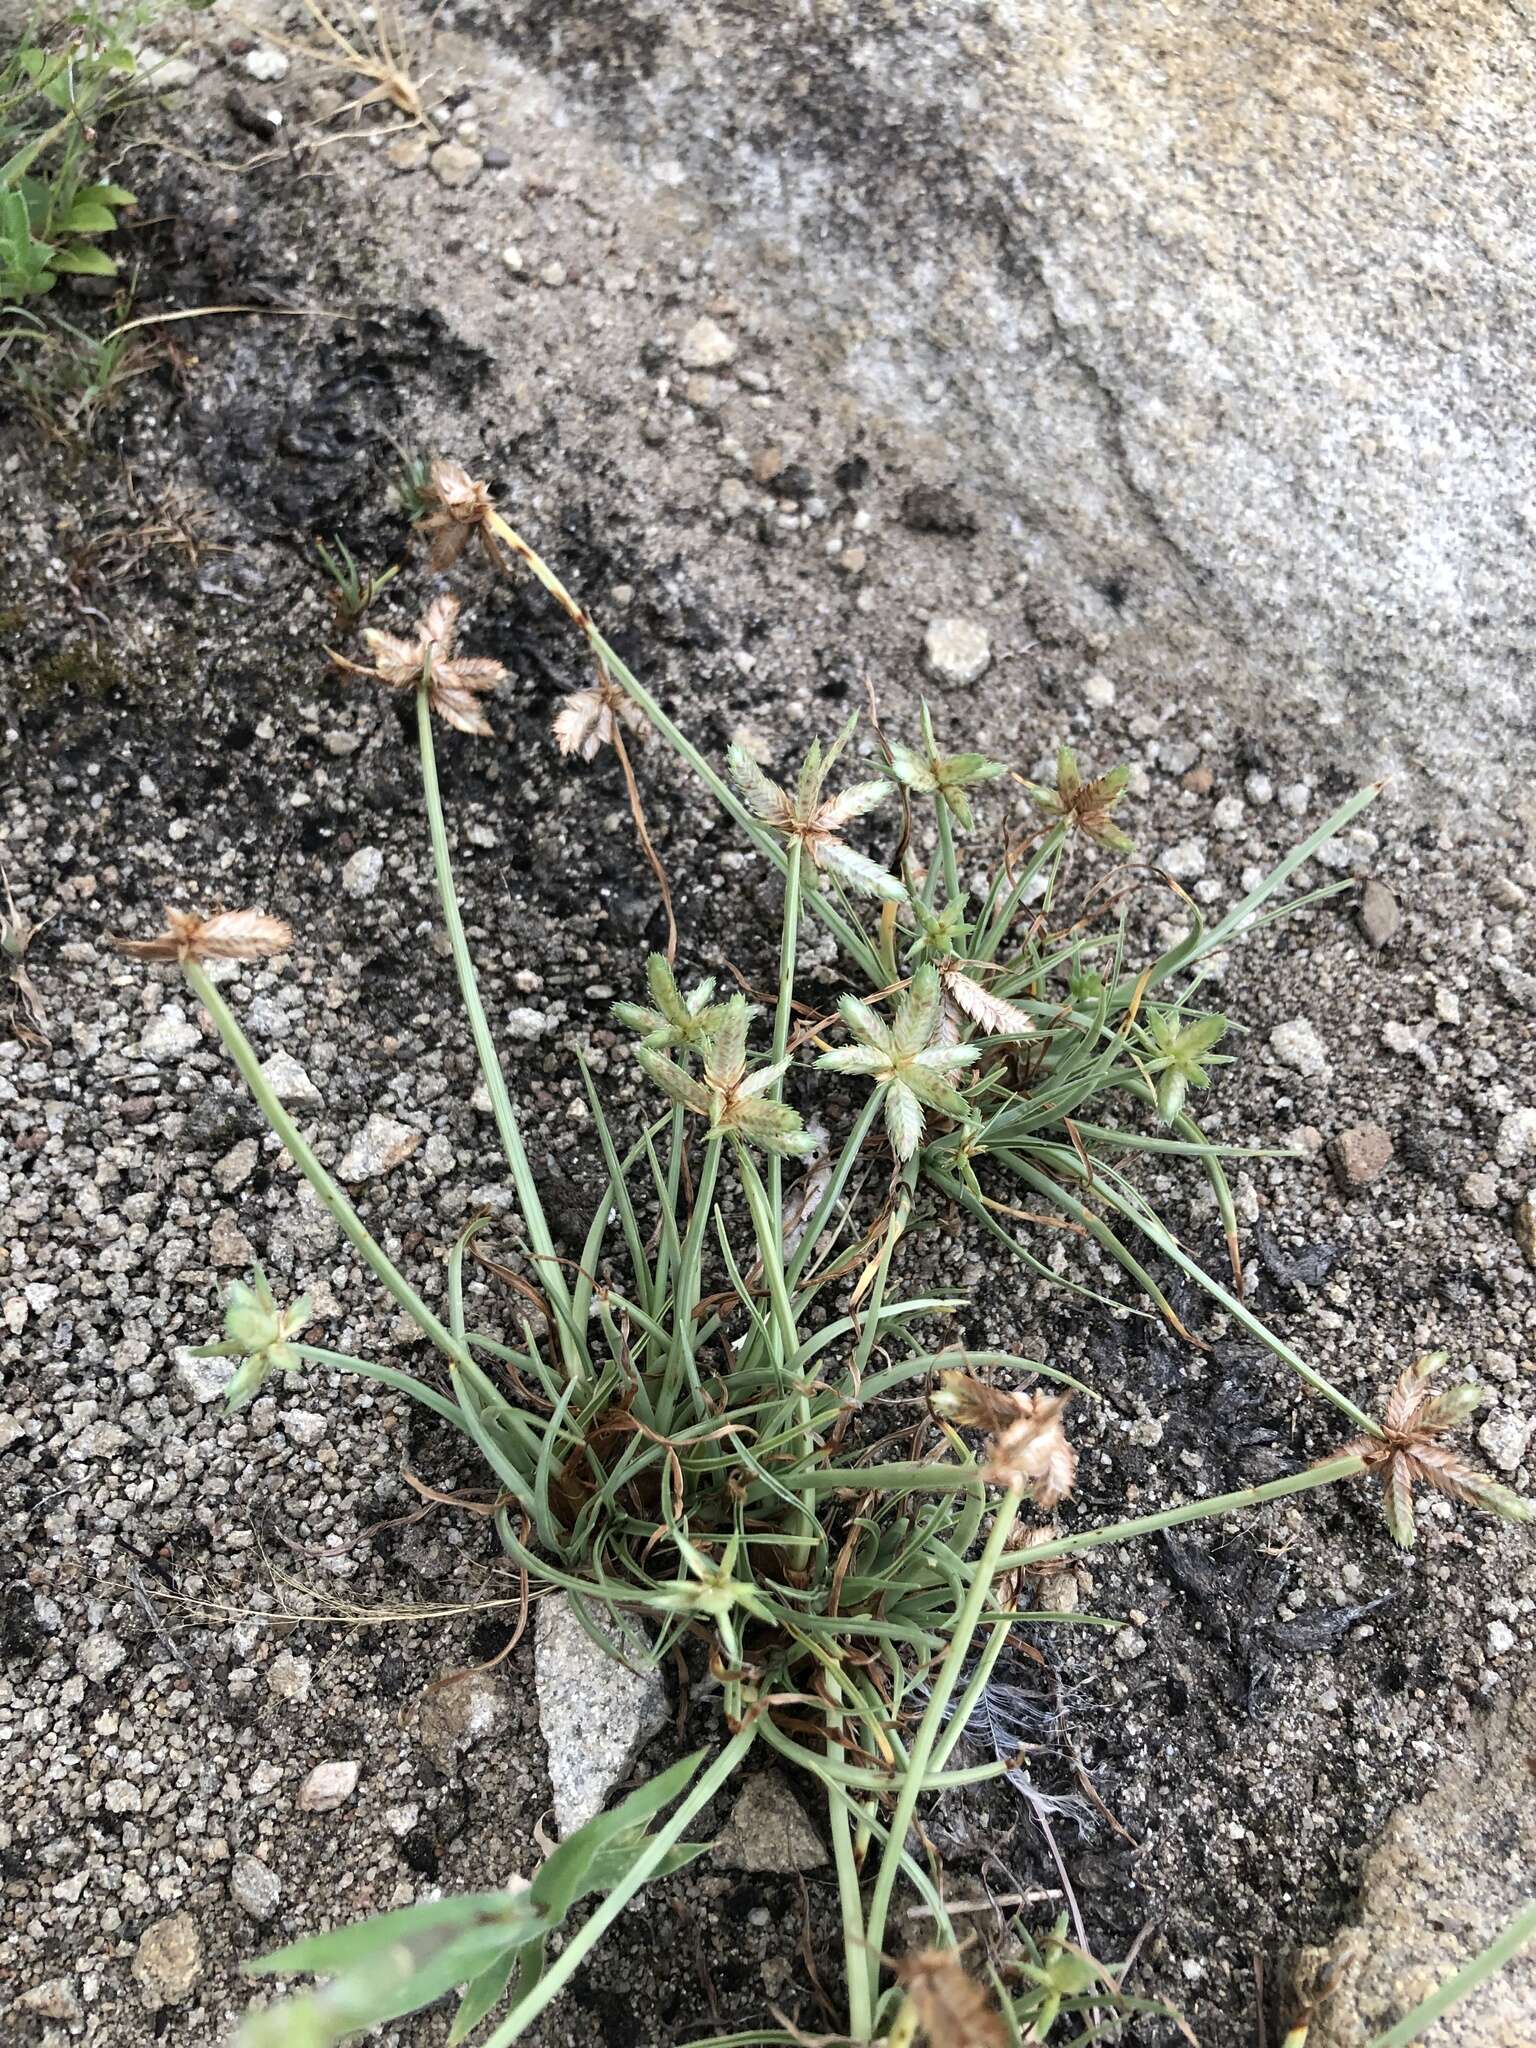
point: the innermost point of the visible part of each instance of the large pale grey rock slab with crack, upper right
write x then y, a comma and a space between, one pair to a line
1347, 548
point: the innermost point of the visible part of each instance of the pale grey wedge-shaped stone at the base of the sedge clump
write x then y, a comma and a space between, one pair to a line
595, 1713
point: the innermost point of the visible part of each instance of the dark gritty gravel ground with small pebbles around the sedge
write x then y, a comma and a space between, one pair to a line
202, 1611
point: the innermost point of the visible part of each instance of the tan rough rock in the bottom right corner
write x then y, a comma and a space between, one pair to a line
1426, 1906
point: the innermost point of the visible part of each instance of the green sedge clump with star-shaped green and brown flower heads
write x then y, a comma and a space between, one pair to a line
703, 1431
